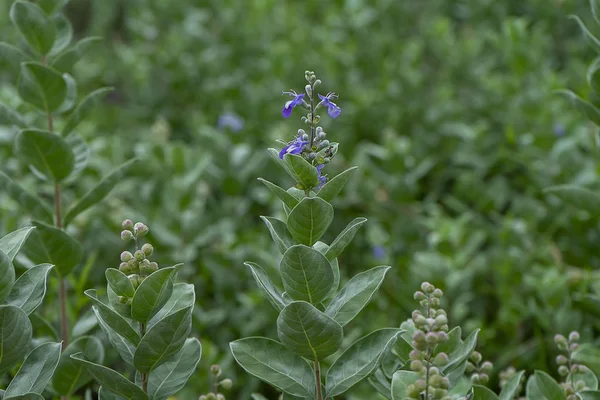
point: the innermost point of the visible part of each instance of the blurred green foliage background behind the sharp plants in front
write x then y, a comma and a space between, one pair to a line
447, 108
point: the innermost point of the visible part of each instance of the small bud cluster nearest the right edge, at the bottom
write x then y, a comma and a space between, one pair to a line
567, 369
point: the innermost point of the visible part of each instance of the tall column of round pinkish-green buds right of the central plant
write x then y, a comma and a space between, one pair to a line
431, 329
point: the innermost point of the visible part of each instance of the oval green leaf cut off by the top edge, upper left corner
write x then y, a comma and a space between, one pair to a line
34, 25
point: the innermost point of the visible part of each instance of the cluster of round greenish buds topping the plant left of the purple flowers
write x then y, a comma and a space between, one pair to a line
137, 265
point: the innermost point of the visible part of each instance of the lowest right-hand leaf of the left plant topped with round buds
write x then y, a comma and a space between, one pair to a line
172, 376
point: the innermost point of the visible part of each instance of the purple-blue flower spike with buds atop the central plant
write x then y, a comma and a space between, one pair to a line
313, 146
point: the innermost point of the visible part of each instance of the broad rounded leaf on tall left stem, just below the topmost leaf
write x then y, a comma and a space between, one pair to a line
42, 86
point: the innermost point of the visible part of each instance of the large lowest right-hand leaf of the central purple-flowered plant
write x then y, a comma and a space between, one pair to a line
359, 361
